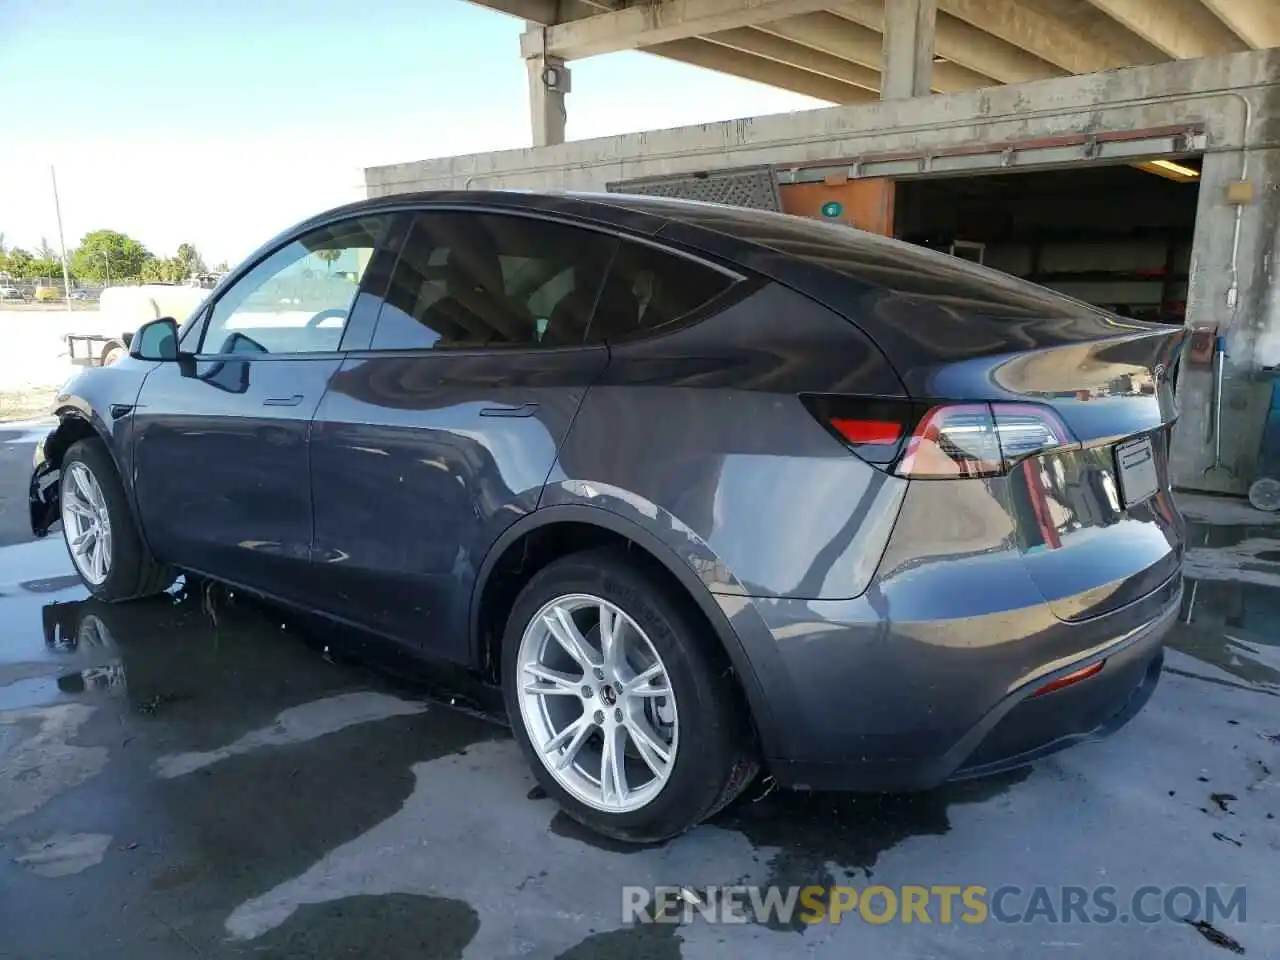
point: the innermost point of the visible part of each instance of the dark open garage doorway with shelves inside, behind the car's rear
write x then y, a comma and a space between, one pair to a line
1119, 237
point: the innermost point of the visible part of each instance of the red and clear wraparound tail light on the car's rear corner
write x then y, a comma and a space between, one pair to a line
949, 441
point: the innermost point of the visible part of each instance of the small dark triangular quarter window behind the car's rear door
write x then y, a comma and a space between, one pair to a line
650, 289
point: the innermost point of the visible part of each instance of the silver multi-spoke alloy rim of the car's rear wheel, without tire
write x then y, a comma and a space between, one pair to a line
597, 703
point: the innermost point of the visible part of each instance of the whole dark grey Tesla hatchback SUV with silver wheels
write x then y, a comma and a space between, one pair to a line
706, 491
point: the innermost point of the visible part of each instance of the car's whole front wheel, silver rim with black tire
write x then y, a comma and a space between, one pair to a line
99, 529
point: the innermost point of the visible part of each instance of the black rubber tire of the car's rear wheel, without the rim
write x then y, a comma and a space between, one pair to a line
711, 769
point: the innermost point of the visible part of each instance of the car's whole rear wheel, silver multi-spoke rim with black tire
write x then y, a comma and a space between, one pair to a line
621, 702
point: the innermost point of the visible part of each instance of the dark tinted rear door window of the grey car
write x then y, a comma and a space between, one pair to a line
468, 281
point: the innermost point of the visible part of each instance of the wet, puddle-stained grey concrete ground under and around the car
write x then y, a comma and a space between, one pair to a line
196, 776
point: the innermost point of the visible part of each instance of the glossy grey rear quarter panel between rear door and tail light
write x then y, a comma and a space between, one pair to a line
701, 436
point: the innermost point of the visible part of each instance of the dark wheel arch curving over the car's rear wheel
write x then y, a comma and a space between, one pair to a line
493, 595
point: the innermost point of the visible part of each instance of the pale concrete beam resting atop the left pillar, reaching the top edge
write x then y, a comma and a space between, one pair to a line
652, 24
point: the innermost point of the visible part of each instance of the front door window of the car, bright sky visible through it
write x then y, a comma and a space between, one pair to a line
296, 300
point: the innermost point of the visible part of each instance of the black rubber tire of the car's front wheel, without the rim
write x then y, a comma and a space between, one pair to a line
132, 573
